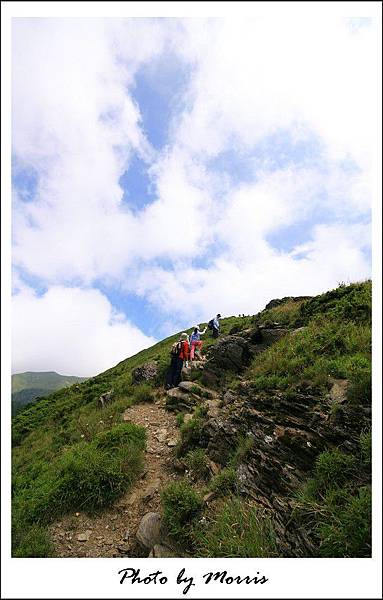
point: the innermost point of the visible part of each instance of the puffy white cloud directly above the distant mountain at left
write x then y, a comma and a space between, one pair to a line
70, 330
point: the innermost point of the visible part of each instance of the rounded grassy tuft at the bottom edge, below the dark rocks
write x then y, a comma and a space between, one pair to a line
236, 530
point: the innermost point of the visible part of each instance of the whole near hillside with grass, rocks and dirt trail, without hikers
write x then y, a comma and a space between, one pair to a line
264, 449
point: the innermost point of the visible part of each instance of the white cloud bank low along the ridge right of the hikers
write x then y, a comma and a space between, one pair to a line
335, 254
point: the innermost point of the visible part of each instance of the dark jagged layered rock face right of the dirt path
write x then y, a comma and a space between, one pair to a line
287, 433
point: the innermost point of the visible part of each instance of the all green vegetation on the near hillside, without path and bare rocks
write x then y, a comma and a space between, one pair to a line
70, 453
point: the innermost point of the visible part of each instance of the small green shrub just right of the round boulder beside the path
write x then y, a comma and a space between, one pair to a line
181, 504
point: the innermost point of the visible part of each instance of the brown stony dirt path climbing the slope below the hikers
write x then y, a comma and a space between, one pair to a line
112, 533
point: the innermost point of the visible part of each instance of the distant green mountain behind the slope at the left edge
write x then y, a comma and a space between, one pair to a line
28, 386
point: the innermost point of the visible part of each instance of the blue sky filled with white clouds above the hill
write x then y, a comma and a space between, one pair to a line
165, 170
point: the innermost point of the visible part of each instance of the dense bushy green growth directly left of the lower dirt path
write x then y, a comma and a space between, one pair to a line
87, 476
